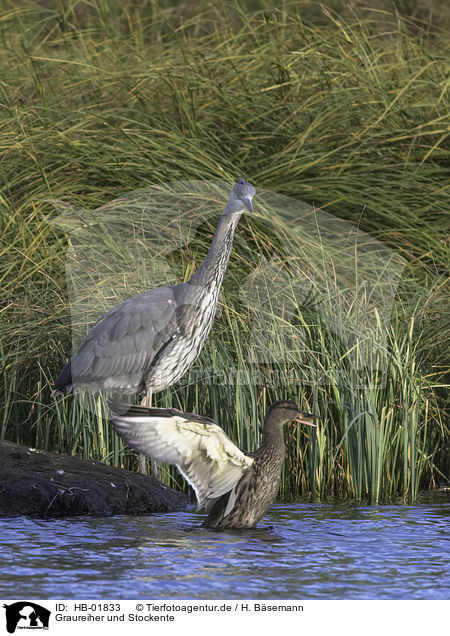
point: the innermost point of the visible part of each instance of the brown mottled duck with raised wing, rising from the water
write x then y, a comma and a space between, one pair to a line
236, 488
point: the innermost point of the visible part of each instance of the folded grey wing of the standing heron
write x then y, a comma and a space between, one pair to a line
125, 340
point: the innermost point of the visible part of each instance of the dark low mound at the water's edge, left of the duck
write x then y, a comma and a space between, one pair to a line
42, 484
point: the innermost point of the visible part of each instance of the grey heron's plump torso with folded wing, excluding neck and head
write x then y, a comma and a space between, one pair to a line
132, 349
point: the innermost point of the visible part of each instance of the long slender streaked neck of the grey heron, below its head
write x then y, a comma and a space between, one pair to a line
211, 271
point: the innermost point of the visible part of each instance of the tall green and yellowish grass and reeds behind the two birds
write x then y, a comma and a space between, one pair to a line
345, 111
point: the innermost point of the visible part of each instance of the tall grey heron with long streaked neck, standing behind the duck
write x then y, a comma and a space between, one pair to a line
149, 341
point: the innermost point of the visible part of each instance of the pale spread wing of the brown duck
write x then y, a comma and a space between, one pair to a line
200, 449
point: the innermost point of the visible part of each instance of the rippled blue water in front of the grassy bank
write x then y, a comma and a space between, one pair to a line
299, 551
